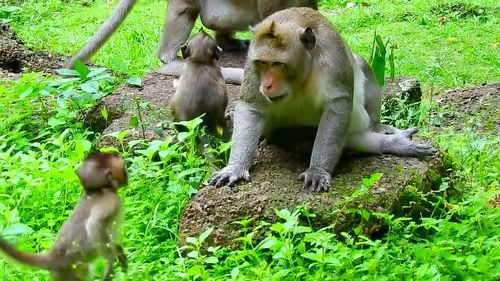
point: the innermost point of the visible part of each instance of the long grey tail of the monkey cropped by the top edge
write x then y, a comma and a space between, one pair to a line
102, 34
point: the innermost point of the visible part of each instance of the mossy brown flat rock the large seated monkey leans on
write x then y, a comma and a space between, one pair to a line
274, 185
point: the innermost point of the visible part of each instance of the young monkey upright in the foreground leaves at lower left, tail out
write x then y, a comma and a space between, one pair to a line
91, 230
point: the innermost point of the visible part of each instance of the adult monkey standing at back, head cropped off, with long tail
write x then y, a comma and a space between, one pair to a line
223, 16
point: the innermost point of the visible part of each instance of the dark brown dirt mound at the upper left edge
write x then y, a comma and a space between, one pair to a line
15, 56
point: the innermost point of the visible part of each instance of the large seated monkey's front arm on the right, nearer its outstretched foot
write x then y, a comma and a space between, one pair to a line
329, 143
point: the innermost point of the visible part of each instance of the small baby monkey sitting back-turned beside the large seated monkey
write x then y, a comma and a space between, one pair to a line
201, 88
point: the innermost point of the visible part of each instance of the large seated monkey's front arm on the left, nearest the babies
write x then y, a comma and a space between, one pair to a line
247, 129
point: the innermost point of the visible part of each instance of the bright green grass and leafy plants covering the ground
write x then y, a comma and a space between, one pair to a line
42, 141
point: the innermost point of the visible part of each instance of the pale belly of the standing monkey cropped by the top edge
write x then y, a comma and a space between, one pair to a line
229, 14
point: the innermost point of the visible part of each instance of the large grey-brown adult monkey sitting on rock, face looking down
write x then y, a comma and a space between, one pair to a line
299, 72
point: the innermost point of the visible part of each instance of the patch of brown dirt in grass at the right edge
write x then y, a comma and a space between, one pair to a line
476, 106
